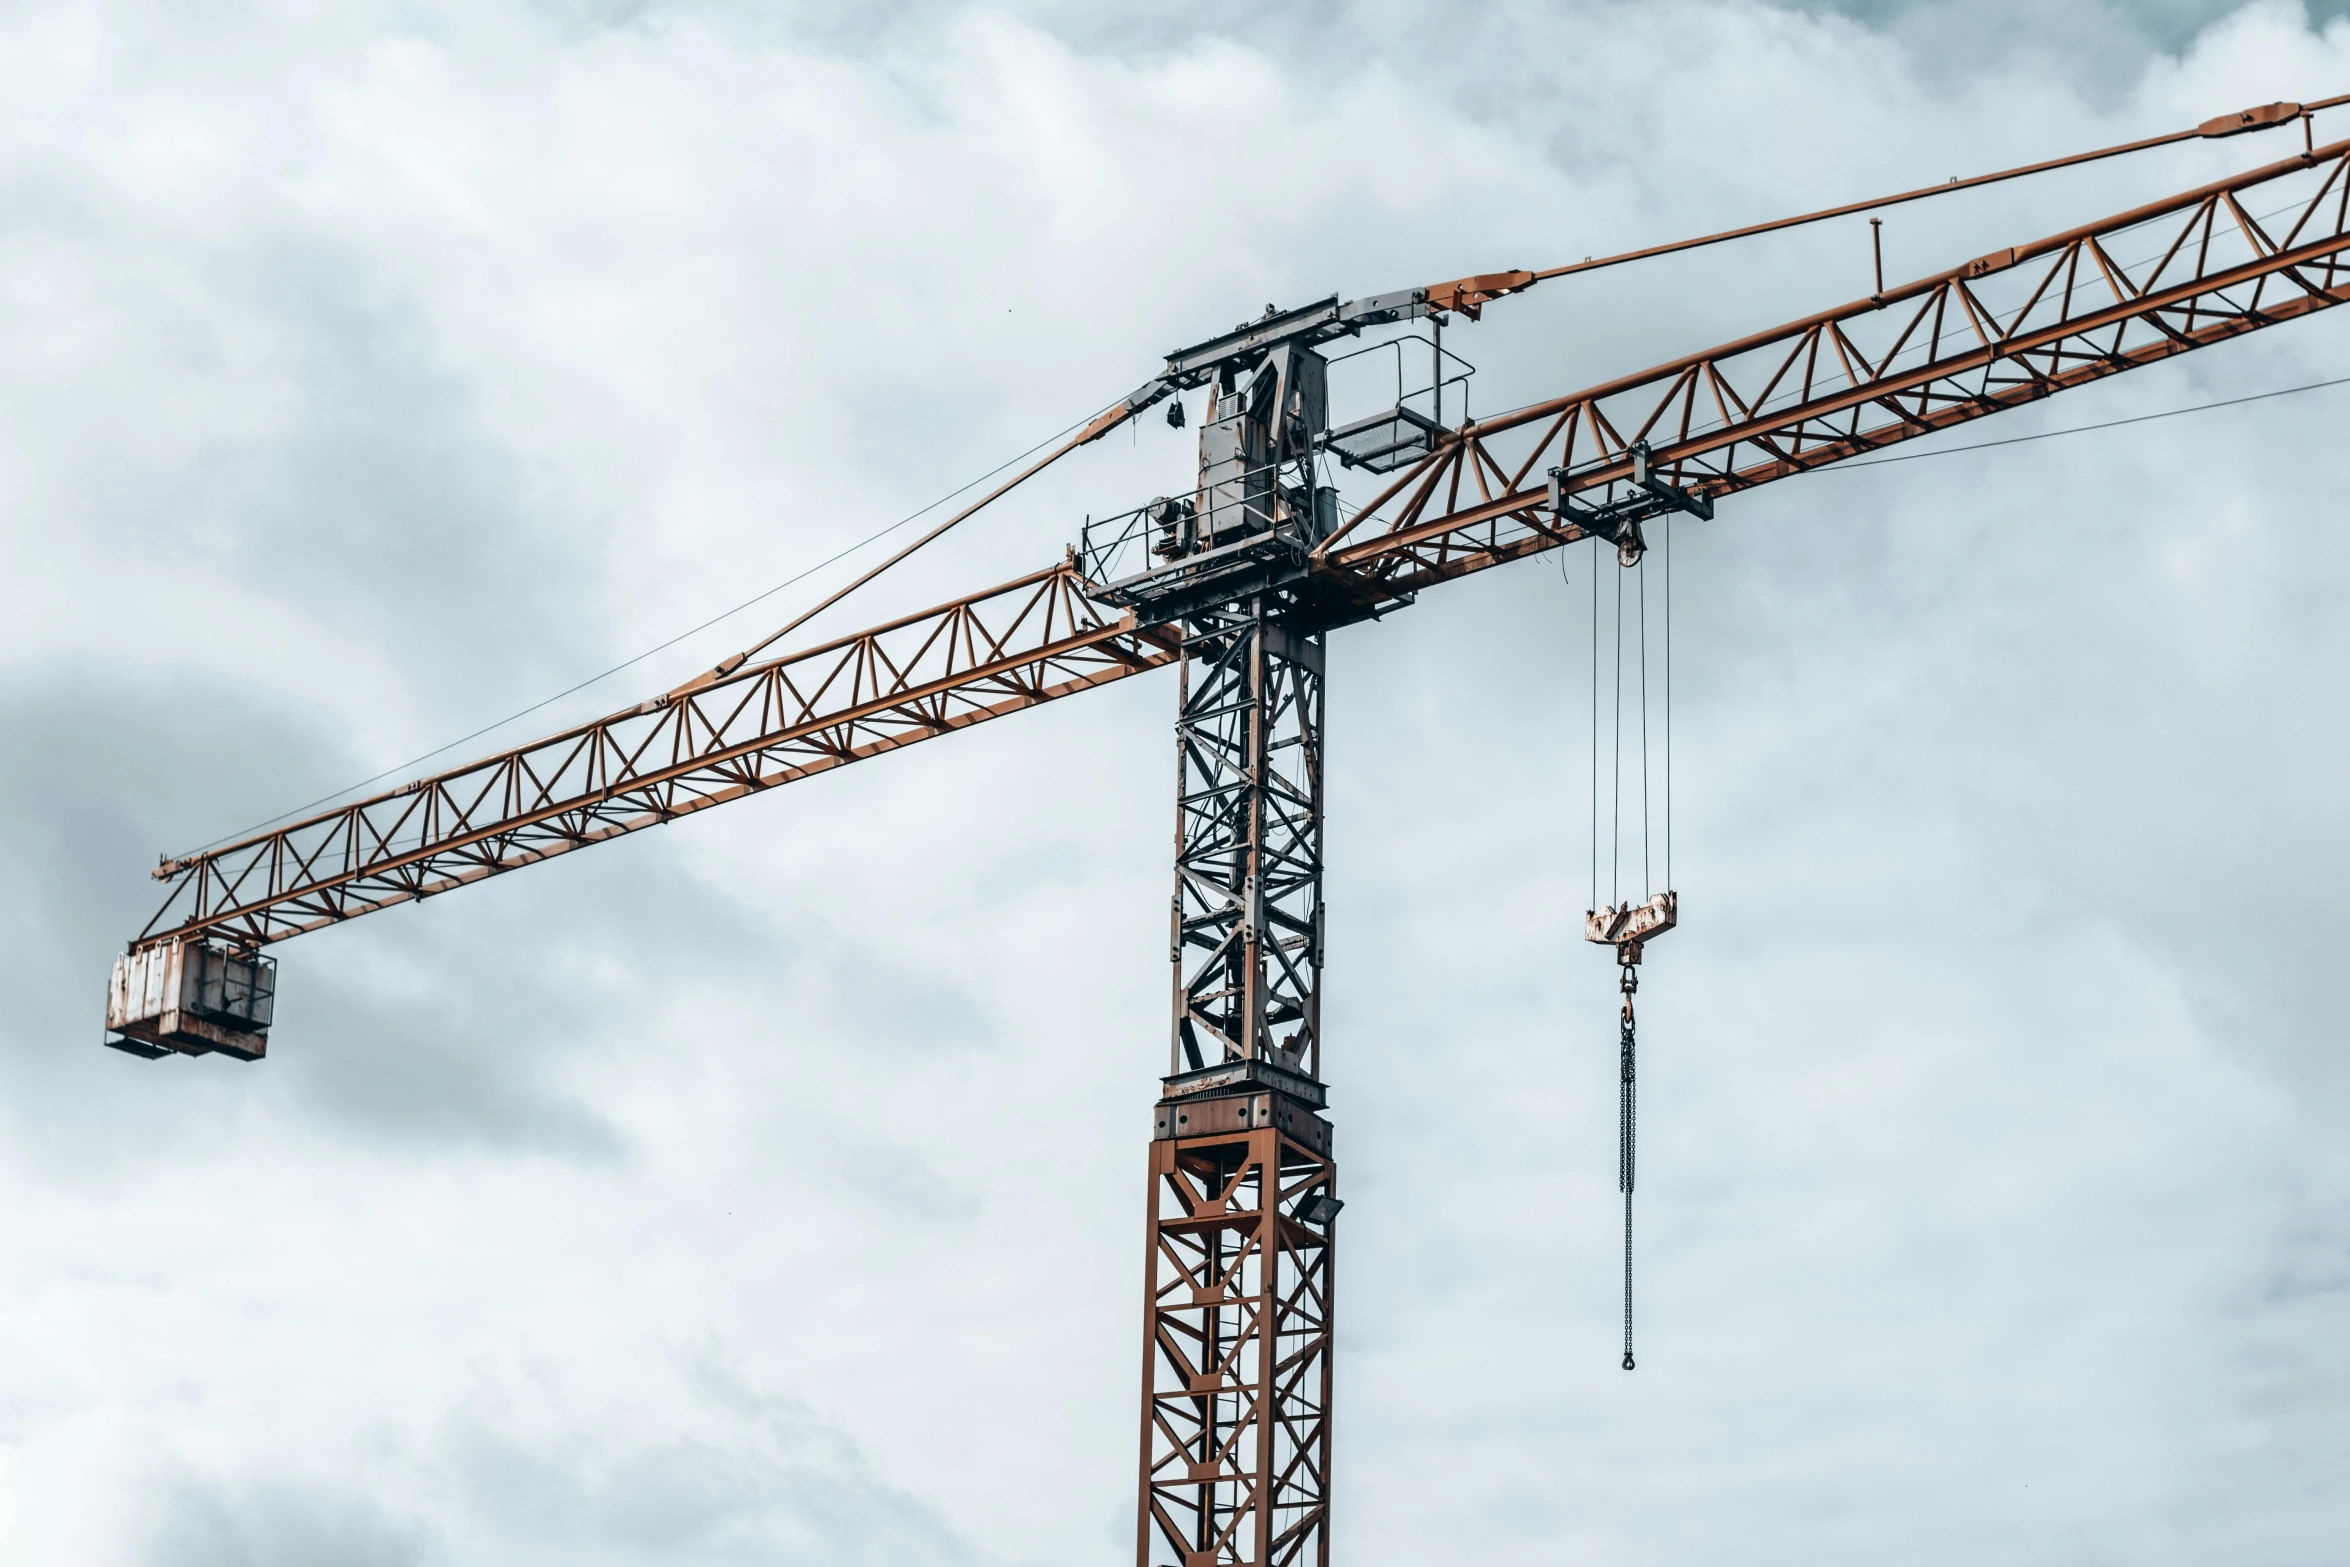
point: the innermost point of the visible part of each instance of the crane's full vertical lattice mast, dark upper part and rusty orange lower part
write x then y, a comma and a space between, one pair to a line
1244, 1190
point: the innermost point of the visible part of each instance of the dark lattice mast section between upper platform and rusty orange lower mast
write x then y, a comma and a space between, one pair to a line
1249, 842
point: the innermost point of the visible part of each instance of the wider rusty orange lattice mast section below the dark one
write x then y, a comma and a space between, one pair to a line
1237, 1333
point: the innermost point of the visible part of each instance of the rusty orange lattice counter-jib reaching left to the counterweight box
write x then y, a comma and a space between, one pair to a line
763, 725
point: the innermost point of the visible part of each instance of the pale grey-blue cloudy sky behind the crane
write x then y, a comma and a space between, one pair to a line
770, 1190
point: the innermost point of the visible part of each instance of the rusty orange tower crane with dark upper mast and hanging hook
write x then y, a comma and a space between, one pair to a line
1237, 586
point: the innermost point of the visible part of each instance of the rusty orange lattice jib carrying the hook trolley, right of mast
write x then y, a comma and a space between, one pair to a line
1999, 332
